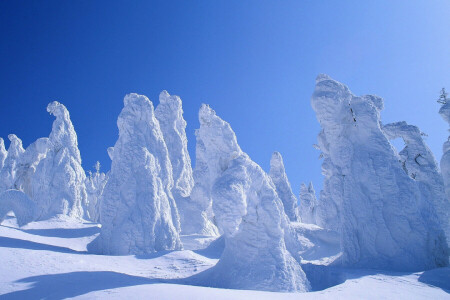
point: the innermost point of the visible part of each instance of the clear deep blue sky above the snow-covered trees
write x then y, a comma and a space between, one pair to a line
254, 62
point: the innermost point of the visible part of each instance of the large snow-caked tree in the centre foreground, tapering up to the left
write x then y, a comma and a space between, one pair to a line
250, 214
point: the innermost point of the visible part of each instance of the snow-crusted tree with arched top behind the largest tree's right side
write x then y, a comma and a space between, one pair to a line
419, 163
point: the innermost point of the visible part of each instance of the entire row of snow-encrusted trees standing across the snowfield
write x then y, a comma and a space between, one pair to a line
390, 208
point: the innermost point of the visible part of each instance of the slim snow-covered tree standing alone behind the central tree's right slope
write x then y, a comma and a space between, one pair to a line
283, 187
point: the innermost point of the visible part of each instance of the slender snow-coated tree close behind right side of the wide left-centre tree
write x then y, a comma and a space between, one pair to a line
193, 217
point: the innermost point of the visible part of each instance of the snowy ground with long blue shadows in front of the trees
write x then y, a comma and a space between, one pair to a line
48, 259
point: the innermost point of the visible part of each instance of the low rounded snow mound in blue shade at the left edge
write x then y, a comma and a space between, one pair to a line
16, 201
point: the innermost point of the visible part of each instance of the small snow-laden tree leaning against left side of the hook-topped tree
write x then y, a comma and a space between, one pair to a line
27, 165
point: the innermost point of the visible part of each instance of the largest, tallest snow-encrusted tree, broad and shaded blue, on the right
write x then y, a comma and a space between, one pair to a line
385, 219
